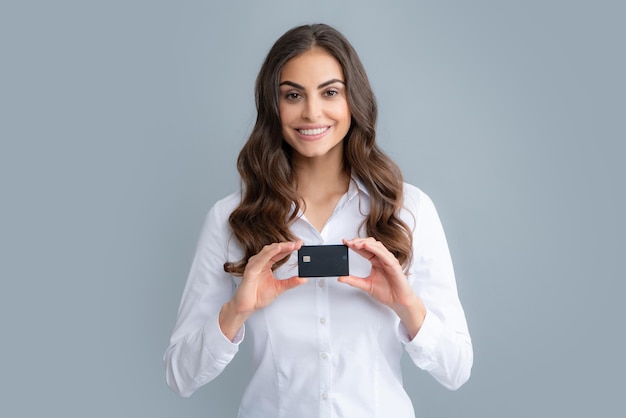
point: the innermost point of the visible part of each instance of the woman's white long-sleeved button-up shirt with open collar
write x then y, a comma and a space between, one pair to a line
323, 349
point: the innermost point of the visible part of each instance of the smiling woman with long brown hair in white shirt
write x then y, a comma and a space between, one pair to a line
312, 174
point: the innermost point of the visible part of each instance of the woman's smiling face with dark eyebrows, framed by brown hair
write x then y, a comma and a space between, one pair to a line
314, 111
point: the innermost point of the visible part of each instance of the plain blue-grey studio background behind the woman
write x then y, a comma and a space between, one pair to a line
120, 125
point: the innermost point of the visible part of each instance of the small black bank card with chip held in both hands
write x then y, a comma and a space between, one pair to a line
323, 261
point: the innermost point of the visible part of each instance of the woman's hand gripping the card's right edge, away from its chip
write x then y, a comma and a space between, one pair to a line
387, 283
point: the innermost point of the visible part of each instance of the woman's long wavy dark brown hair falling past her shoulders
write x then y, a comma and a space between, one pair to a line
269, 201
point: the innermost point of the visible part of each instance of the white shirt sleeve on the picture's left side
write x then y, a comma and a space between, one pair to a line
198, 351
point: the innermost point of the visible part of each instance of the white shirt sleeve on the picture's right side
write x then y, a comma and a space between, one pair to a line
443, 346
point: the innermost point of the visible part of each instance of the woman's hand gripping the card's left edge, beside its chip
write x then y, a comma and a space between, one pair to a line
259, 287
